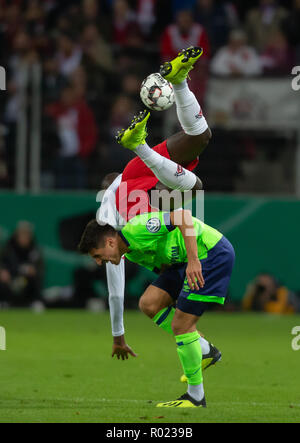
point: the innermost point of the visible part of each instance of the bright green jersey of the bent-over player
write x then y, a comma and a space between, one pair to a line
155, 243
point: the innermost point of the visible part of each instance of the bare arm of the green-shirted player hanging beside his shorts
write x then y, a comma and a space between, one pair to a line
184, 221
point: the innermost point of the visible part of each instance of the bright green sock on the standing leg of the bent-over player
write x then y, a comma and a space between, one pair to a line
190, 355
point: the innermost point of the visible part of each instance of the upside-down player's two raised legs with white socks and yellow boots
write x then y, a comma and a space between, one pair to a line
183, 147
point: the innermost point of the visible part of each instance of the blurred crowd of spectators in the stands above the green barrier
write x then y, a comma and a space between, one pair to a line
95, 53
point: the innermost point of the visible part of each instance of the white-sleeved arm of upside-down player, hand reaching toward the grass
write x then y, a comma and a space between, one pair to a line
116, 287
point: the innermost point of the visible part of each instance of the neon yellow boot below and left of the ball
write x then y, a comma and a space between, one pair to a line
136, 134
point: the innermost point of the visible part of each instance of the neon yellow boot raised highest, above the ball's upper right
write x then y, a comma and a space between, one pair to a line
178, 69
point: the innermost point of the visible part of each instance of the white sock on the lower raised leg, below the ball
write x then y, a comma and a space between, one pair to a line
168, 172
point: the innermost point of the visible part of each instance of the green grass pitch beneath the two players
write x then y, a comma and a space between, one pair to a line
58, 368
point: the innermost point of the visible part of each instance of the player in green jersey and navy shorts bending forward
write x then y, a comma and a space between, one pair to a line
194, 262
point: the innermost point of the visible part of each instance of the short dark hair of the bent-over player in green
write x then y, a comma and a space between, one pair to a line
93, 236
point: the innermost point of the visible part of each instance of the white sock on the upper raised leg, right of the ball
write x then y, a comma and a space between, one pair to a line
188, 110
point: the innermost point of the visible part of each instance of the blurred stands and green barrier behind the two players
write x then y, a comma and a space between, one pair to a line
90, 57
